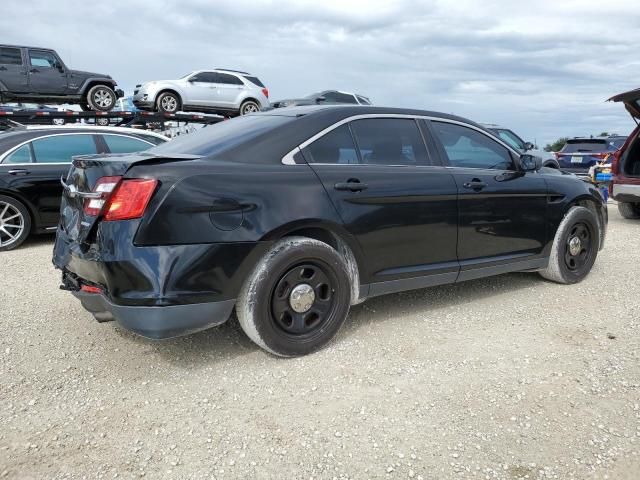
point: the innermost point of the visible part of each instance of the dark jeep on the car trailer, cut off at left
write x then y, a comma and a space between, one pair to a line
38, 74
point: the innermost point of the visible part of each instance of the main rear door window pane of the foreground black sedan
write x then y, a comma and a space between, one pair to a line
390, 141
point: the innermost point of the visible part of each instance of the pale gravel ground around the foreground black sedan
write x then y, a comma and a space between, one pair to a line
508, 377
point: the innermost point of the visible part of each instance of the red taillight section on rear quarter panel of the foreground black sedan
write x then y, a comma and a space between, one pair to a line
130, 199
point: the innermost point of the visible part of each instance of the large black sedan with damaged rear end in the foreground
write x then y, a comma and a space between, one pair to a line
291, 216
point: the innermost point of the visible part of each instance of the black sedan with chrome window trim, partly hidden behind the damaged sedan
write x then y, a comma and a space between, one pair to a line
33, 159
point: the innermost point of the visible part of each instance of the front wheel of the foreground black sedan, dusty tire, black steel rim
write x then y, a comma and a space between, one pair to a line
571, 260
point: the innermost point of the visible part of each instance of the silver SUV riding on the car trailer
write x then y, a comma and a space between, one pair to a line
226, 92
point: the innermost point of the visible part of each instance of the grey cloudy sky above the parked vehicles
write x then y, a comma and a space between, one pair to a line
544, 68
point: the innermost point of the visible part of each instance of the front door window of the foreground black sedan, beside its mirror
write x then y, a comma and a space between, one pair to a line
468, 148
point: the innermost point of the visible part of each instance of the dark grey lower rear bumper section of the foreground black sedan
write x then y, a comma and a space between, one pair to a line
158, 322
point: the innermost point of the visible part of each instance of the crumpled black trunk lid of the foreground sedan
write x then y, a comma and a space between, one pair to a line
83, 184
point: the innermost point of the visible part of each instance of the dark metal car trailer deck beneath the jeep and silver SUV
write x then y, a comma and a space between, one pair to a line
145, 120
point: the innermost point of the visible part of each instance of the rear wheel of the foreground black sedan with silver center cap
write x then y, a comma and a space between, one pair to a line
266, 306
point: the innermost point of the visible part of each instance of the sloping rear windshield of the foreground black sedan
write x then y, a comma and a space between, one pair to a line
222, 136
